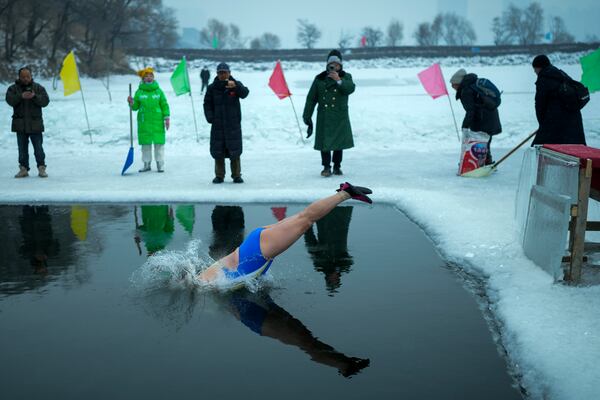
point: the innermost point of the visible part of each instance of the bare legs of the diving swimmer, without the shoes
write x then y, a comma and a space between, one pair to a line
279, 237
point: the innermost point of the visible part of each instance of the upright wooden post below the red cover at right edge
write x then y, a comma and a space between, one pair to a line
580, 223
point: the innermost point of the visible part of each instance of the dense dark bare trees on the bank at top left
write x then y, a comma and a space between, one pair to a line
98, 30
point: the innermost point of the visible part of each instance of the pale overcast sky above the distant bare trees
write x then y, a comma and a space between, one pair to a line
254, 17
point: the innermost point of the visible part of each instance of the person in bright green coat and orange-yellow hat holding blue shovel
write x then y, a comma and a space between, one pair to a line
153, 119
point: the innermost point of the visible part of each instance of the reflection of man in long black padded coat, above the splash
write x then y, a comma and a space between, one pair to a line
228, 230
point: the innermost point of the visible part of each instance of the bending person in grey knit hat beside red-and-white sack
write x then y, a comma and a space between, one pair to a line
478, 118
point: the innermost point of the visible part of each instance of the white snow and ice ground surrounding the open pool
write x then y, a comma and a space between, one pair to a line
406, 150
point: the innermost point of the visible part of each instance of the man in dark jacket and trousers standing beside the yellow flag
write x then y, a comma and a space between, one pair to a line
27, 98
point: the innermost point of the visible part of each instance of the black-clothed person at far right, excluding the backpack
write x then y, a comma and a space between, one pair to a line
557, 124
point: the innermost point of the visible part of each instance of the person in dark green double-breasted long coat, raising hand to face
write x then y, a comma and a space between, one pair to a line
329, 91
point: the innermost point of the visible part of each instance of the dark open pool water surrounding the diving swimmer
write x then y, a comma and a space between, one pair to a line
77, 322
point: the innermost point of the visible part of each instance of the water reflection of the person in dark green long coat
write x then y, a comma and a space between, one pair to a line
329, 248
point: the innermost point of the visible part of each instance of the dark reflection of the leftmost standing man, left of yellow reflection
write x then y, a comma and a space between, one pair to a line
38, 239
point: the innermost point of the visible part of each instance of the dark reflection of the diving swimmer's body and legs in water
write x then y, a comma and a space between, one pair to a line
260, 313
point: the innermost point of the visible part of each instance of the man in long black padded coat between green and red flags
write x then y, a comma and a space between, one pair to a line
222, 110
